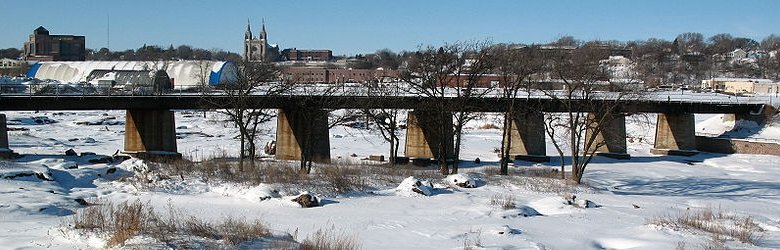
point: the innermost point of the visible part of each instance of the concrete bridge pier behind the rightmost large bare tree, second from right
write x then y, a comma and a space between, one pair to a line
611, 139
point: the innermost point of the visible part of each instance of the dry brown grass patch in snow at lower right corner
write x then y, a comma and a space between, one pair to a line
719, 223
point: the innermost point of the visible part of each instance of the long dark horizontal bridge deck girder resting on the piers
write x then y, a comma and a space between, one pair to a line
484, 104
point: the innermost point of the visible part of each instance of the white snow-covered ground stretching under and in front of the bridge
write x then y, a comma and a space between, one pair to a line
624, 195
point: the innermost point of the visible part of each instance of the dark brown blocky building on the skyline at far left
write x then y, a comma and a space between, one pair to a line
41, 46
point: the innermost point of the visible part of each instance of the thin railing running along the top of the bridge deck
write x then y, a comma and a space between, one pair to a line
356, 89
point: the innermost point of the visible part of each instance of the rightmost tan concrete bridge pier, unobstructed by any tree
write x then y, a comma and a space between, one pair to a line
675, 134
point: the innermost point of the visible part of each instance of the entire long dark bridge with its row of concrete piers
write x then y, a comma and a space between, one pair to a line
150, 124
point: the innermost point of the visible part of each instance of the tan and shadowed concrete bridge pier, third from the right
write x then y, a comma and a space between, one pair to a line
527, 137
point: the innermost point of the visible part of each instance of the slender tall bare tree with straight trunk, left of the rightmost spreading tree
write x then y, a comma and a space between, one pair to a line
515, 65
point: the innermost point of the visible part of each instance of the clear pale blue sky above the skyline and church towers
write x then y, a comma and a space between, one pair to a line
361, 26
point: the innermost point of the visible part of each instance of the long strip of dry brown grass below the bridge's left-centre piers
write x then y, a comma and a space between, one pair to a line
326, 179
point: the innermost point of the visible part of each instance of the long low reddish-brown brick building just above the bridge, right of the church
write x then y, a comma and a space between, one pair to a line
323, 75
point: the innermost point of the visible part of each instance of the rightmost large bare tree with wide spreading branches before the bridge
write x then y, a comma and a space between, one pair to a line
585, 104
